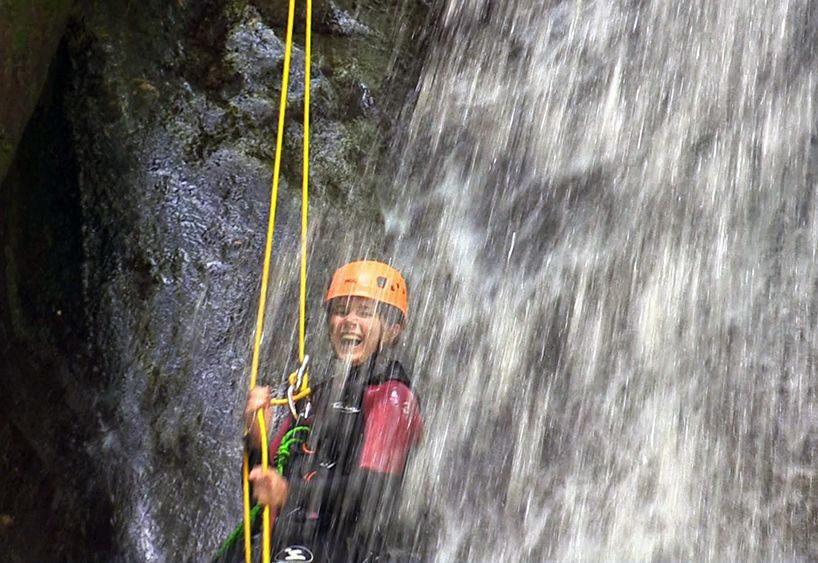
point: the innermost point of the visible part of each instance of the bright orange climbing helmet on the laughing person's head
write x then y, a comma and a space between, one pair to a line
371, 279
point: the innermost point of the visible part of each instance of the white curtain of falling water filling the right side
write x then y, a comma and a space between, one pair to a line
606, 212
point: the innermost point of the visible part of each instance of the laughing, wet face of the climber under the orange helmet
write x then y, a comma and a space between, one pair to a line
355, 328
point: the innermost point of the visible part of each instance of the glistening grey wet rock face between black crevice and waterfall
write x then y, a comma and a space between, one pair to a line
173, 109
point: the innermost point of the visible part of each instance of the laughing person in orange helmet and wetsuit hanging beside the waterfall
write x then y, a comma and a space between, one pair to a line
338, 490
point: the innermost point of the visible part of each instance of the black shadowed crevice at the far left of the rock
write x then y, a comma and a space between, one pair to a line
49, 488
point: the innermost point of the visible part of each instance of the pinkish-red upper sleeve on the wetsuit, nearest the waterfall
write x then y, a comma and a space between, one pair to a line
392, 426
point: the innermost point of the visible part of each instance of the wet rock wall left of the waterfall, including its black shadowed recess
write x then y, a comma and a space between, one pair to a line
149, 247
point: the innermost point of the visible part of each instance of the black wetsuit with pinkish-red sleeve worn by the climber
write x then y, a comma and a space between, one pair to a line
344, 481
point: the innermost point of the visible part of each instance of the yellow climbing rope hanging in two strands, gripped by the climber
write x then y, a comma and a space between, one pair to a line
305, 390
